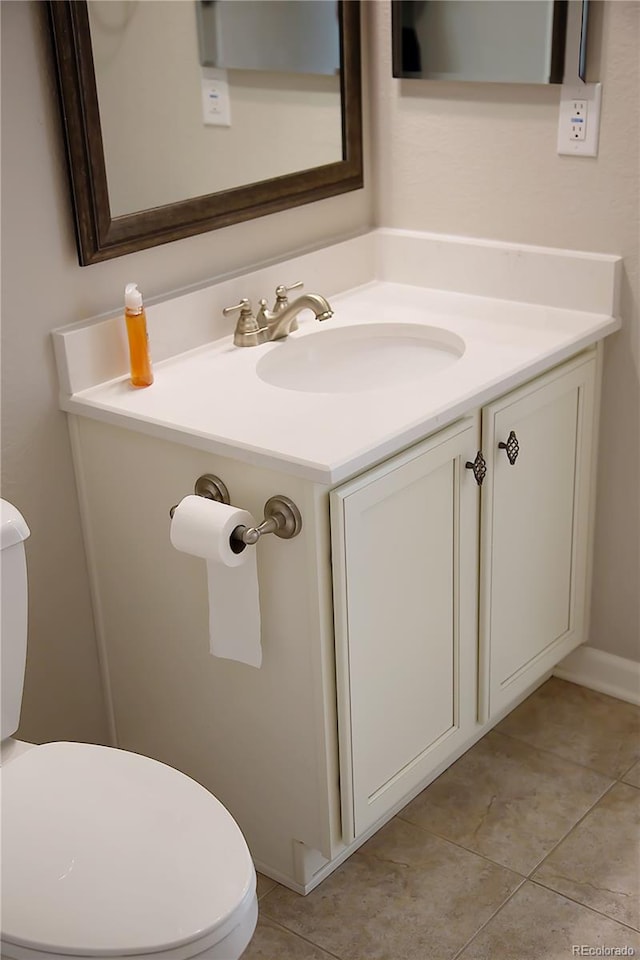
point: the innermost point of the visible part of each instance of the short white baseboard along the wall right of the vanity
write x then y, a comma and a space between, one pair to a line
604, 672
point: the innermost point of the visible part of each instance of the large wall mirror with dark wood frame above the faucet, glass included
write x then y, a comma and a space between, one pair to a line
150, 160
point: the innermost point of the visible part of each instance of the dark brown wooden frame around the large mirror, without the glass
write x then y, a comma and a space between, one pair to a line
101, 236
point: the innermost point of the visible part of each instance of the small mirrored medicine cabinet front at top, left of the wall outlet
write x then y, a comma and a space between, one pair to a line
499, 41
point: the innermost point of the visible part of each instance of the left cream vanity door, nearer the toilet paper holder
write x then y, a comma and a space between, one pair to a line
405, 583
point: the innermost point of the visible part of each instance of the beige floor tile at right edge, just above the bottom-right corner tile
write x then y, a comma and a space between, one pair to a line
599, 862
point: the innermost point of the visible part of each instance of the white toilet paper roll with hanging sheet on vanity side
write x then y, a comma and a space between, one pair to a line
203, 528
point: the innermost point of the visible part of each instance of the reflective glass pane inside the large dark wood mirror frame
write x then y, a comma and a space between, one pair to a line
174, 129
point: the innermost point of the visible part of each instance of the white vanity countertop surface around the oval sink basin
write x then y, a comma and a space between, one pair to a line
210, 397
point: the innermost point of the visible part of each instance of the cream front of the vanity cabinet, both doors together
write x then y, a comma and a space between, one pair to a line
415, 675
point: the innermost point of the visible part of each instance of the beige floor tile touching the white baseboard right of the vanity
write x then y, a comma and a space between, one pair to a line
579, 724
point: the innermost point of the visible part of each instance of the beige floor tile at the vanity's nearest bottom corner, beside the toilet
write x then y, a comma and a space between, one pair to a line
405, 895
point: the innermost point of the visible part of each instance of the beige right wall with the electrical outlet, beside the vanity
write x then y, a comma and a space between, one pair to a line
480, 160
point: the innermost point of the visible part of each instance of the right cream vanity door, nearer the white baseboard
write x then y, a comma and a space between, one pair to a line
534, 530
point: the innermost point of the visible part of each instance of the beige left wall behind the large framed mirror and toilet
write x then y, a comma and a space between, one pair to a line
43, 287
